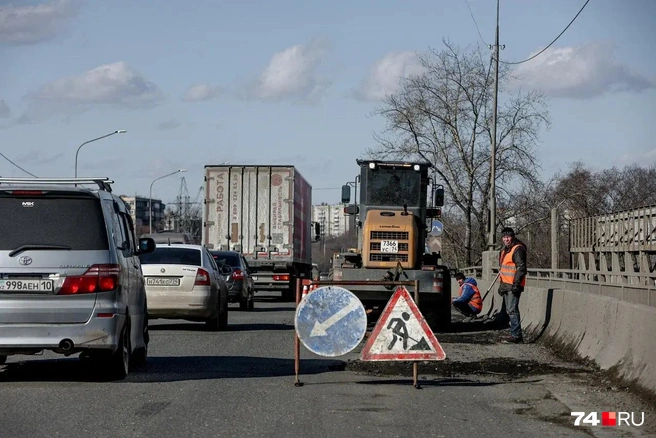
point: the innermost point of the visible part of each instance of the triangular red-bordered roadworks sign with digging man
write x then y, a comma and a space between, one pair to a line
402, 333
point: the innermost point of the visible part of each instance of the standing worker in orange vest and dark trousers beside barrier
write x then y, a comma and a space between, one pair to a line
512, 279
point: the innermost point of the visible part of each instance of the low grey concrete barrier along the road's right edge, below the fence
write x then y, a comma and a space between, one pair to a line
616, 335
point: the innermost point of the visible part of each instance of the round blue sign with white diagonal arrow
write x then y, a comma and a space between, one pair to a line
330, 321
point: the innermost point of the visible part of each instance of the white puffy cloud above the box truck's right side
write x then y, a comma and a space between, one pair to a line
293, 73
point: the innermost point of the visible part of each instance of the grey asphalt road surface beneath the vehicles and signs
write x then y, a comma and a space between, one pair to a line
240, 383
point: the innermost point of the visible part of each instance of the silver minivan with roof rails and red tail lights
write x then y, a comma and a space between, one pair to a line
70, 276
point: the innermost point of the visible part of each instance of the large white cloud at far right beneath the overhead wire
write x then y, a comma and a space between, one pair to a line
579, 72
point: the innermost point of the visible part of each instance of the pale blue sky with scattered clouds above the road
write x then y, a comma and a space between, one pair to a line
296, 82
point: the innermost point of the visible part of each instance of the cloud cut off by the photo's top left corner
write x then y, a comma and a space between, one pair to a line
35, 23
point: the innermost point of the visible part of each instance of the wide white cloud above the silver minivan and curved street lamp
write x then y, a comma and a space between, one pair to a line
116, 85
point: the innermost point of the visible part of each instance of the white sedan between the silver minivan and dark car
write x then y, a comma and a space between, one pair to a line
184, 282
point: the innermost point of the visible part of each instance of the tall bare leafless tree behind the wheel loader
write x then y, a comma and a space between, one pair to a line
444, 116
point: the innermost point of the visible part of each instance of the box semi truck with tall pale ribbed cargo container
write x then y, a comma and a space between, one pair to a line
265, 213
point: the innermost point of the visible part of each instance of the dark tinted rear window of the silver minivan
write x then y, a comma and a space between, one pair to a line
75, 222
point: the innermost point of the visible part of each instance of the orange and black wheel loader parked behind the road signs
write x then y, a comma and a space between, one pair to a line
393, 219
